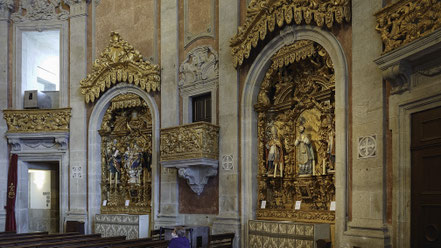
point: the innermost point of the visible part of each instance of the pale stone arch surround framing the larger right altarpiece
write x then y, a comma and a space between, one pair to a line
249, 151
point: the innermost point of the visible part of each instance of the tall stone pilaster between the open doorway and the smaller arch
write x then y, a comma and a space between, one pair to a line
78, 126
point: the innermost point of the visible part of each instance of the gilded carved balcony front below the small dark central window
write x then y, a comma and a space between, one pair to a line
196, 140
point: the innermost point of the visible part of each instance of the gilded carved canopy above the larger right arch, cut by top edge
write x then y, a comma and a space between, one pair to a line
263, 15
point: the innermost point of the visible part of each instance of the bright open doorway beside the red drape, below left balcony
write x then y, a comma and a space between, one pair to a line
43, 202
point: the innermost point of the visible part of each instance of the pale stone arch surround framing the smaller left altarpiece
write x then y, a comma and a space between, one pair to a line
94, 146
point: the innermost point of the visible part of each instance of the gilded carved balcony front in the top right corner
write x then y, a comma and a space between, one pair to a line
407, 20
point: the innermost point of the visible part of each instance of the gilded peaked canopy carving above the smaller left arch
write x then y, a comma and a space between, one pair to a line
119, 63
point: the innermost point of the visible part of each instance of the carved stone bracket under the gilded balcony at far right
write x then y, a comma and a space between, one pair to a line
398, 75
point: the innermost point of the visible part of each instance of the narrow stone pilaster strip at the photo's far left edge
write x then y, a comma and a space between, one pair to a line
5, 7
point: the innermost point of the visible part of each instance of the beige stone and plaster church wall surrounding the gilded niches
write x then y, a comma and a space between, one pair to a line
372, 190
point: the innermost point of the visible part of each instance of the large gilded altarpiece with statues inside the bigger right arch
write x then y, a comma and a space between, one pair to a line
296, 138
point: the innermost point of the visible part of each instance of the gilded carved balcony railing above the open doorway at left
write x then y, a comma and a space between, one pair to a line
37, 120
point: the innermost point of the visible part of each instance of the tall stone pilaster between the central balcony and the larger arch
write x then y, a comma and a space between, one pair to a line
229, 219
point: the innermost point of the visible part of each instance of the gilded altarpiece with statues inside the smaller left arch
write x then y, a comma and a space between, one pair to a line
126, 152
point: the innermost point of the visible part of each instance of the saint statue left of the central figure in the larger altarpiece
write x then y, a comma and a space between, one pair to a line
274, 155
